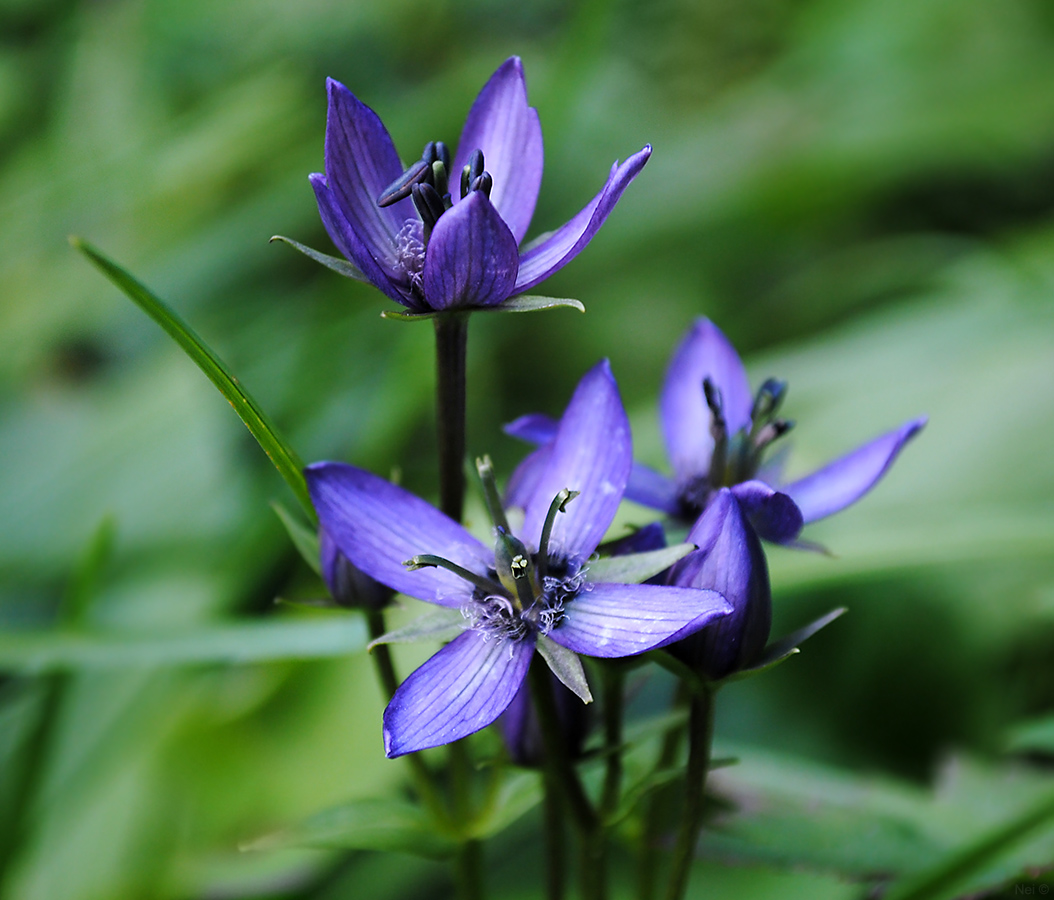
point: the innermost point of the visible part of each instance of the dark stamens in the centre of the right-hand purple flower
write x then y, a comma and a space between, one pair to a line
736, 458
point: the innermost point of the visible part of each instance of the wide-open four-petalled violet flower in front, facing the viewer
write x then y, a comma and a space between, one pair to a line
528, 594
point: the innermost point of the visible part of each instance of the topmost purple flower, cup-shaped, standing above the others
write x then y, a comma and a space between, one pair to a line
445, 234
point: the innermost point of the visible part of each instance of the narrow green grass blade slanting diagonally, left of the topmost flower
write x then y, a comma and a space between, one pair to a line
257, 421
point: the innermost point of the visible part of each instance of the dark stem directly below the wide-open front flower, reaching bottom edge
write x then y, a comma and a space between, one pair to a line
562, 777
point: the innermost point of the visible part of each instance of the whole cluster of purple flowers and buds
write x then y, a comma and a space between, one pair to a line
443, 237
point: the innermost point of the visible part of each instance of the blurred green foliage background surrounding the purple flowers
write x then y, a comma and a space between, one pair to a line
861, 193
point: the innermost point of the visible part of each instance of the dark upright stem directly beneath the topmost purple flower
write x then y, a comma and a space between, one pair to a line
452, 344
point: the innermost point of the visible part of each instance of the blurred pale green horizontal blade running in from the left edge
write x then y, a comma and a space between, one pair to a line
32, 652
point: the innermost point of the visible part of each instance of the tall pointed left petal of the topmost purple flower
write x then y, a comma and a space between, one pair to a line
361, 162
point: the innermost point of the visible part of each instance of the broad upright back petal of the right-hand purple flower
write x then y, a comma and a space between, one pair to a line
705, 353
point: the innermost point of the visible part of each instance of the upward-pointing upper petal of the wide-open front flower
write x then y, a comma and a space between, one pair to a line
592, 454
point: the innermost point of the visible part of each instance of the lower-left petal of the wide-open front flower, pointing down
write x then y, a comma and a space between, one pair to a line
461, 690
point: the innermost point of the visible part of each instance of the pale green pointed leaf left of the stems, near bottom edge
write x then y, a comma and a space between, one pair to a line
372, 825
